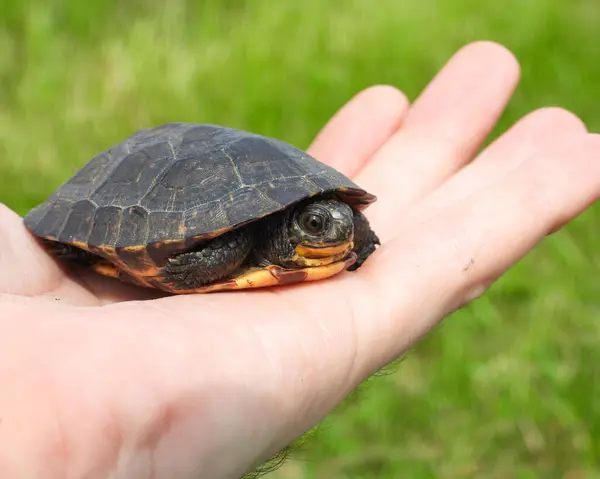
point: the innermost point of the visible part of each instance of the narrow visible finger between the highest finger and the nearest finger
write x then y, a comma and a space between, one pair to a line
541, 130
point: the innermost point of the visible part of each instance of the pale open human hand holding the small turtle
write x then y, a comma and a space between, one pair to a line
100, 380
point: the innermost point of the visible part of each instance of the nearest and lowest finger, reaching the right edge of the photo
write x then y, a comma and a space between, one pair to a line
453, 258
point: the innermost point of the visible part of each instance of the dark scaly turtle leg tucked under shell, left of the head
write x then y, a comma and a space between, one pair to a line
214, 261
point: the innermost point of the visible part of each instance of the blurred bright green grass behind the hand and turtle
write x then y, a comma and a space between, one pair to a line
509, 387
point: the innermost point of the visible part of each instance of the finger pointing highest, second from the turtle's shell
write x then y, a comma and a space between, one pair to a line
443, 130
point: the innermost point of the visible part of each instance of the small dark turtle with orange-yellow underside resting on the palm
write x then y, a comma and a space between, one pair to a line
198, 208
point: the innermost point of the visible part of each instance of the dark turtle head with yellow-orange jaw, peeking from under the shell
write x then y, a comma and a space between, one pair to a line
321, 232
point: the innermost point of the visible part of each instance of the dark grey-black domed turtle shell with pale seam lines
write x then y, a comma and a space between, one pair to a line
163, 190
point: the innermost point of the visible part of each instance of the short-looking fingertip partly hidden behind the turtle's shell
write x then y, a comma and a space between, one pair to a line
359, 128
